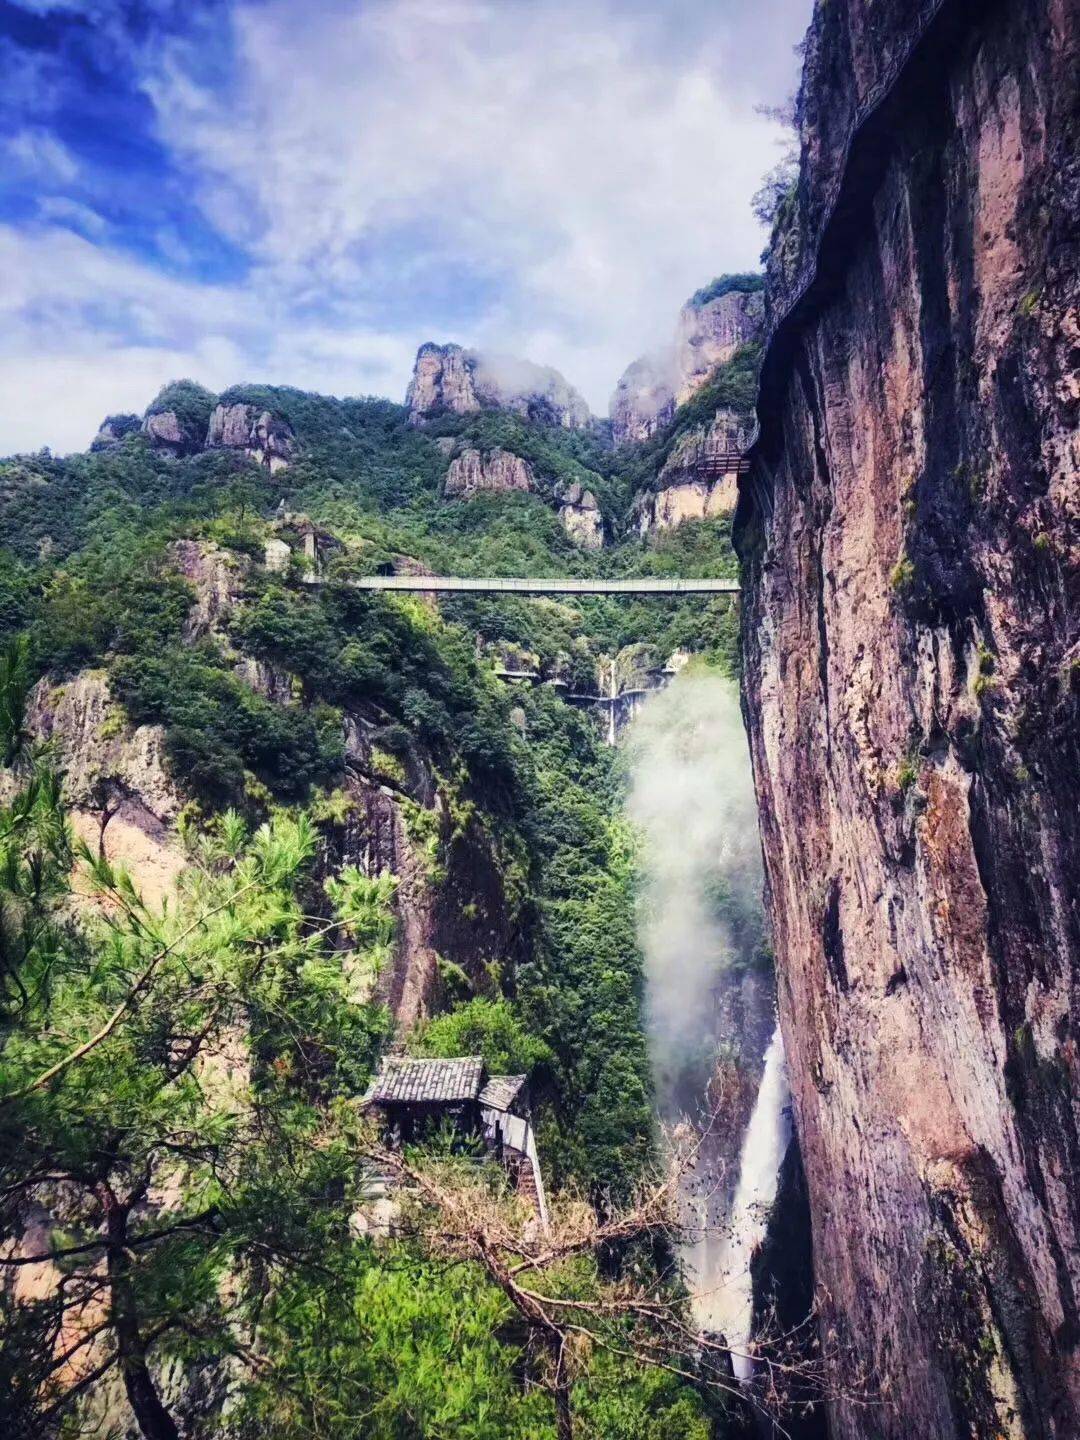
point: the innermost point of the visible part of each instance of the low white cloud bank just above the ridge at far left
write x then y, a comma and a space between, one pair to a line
86, 333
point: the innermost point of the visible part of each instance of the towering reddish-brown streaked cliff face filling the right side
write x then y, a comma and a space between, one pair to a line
911, 536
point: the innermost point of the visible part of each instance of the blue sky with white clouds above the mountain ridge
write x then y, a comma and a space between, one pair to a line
302, 192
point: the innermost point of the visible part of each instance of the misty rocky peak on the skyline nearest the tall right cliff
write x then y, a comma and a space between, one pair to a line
709, 330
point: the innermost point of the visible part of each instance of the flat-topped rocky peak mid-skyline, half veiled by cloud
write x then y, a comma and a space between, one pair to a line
450, 381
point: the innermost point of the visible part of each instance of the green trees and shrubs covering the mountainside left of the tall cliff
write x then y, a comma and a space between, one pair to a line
246, 1014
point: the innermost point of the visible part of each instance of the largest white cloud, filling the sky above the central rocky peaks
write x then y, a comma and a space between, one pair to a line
570, 158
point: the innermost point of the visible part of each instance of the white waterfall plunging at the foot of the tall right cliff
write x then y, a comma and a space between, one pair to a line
722, 1290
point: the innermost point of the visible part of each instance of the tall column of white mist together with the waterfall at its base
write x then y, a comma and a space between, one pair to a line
716, 1052
